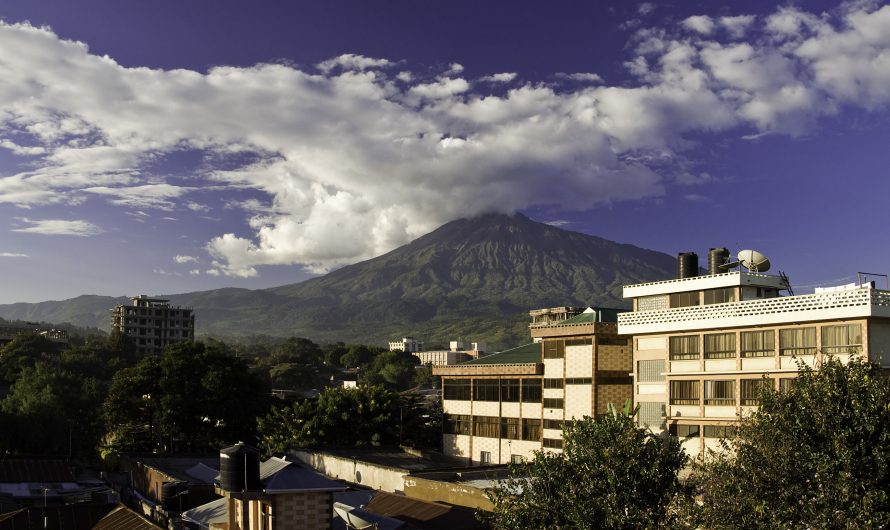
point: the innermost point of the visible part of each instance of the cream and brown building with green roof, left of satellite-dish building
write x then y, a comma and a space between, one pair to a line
502, 407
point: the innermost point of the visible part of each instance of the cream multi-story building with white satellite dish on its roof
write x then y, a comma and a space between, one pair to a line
702, 345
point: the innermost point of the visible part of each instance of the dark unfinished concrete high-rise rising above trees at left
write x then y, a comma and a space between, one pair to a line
153, 324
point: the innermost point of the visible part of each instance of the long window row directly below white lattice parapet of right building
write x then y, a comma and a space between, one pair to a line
845, 338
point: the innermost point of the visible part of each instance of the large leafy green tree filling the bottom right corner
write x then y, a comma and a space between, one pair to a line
814, 456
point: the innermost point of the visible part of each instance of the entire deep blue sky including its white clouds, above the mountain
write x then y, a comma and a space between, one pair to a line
170, 146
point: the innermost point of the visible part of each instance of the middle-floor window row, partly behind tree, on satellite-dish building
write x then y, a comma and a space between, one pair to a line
721, 392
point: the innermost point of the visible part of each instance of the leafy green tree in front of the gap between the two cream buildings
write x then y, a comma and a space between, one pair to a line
611, 474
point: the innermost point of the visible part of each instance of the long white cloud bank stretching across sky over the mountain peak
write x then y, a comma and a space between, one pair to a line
356, 155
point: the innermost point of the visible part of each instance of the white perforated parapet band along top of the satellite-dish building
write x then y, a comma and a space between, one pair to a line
856, 303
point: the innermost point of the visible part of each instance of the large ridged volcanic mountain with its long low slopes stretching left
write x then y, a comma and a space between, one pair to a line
476, 278
